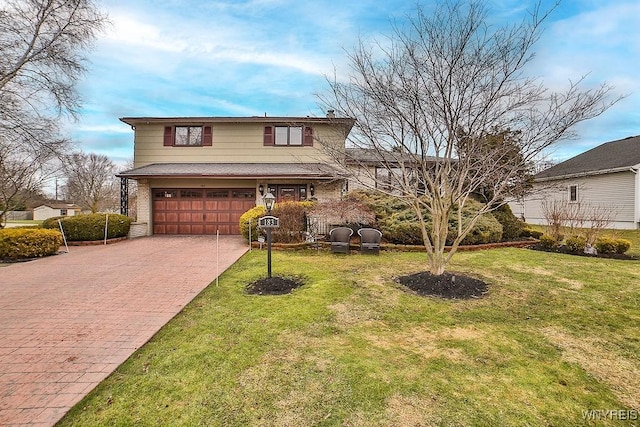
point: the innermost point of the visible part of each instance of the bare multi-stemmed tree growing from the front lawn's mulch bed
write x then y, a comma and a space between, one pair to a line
427, 98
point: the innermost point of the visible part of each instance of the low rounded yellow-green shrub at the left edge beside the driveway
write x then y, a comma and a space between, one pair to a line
28, 243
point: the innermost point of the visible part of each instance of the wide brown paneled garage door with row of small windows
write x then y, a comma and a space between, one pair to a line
200, 211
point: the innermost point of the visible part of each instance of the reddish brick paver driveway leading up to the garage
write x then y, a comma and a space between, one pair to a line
67, 321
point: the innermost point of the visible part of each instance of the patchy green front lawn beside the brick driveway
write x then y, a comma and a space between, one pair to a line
555, 336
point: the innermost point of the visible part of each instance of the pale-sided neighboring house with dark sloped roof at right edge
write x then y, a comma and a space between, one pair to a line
605, 176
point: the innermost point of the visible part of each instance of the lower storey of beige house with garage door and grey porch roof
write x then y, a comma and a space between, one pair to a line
205, 198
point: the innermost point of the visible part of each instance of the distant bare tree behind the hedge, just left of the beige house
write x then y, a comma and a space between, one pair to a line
91, 181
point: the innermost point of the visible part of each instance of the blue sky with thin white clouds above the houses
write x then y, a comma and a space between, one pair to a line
251, 57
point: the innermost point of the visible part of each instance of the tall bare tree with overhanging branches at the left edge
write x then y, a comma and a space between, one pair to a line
41, 58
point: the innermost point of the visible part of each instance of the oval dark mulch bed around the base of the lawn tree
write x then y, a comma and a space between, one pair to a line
446, 285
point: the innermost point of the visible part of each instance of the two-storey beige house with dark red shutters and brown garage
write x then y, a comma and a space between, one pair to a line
197, 175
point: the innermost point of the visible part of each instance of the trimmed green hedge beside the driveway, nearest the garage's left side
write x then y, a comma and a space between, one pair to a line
91, 226
